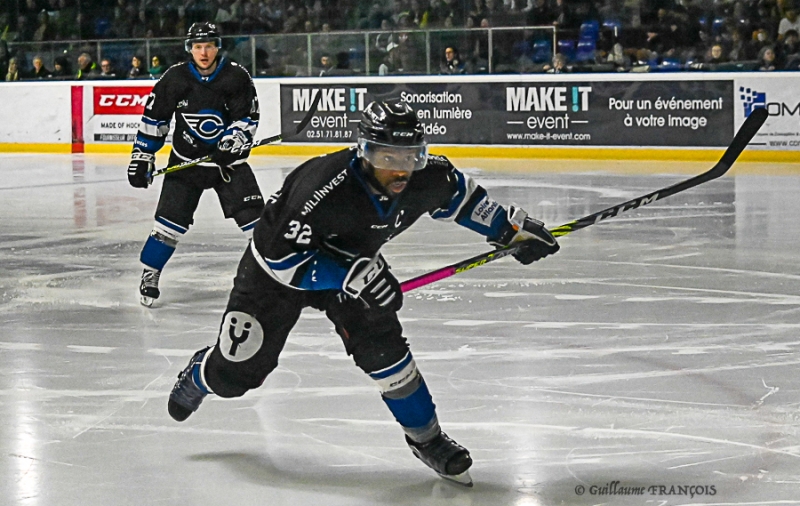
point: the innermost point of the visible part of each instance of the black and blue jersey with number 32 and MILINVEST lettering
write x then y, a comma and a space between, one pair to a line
326, 216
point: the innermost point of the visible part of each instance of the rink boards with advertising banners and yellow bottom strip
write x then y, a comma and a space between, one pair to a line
674, 116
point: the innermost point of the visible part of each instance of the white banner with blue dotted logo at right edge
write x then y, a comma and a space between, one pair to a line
778, 94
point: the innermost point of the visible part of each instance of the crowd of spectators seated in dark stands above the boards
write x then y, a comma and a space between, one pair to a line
603, 35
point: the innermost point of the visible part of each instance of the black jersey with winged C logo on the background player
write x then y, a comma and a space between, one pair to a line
204, 108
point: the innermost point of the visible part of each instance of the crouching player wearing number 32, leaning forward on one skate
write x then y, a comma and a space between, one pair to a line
318, 245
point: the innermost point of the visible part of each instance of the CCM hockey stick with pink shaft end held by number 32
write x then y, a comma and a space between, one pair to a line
743, 137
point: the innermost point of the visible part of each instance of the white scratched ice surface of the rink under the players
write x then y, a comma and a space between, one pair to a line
657, 354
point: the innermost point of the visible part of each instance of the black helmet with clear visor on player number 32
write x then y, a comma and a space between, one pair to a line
391, 137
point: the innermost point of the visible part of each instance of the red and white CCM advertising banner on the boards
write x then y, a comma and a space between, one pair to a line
115, 113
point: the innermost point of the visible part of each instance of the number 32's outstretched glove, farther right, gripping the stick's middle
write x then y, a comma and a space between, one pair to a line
540, 242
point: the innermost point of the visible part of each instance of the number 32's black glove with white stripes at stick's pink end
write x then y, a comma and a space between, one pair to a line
372, 282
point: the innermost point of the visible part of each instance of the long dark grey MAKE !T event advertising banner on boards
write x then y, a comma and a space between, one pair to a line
548, 113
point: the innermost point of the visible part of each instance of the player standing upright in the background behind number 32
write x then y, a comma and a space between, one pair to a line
216, 113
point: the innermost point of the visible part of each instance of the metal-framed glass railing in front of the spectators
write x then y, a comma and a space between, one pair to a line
482, 51
